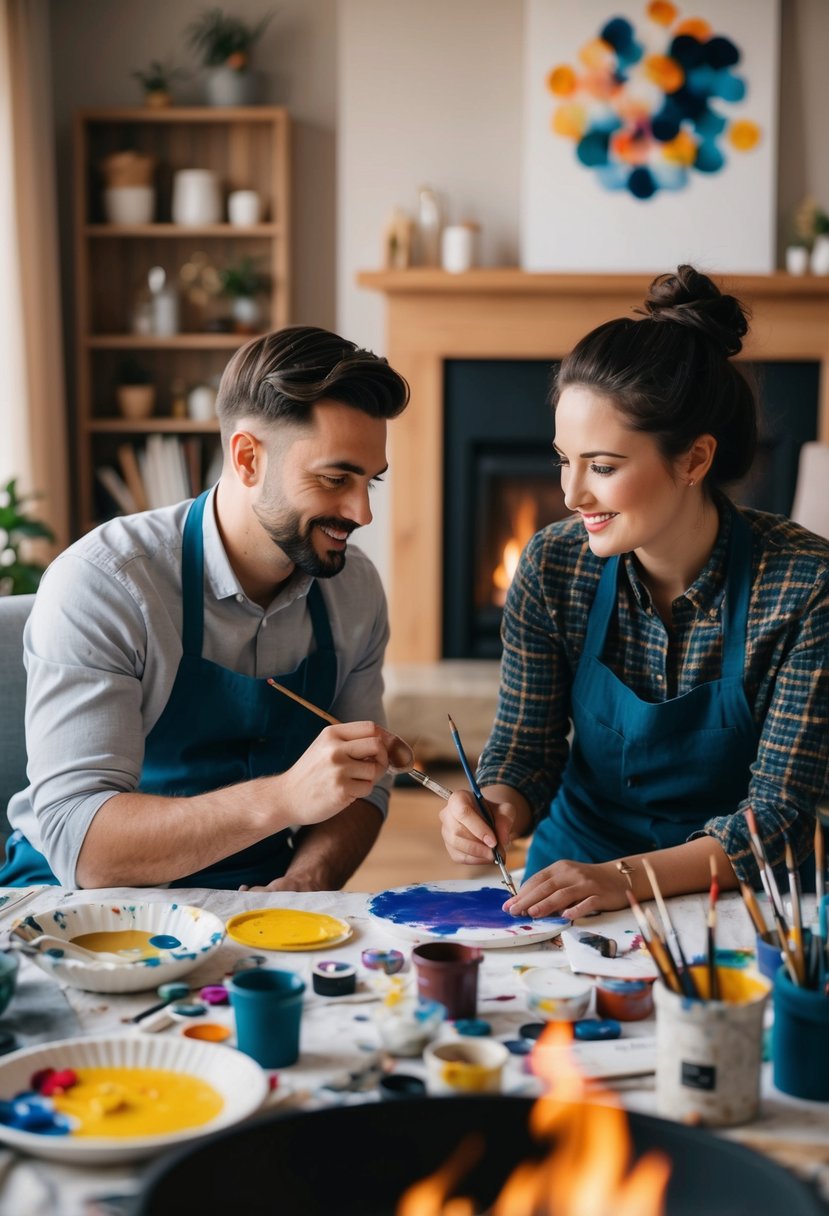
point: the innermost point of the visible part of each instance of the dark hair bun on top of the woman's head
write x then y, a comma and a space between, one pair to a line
691, 300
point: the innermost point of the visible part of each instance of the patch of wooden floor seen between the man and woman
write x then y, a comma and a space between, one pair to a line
411, 848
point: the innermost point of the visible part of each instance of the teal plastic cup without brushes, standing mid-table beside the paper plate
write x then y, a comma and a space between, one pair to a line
268, 1007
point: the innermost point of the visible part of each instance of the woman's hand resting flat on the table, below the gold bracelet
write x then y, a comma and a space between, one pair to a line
572, 890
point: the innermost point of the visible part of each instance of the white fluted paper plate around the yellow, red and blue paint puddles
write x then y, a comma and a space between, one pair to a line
239, 1079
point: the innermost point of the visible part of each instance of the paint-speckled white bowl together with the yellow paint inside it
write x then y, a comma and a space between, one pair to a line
142, 945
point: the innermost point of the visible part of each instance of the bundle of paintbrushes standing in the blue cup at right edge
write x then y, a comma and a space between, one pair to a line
804, 954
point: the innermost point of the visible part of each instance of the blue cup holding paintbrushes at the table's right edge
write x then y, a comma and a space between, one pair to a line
799, 1040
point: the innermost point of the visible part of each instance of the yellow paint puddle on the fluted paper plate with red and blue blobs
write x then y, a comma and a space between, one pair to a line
126, 1102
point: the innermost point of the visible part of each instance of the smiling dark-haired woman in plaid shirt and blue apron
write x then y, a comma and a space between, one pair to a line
685, 639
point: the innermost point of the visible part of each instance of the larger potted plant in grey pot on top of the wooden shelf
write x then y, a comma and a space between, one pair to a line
224, 44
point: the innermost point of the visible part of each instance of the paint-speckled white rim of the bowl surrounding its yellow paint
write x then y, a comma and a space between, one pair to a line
198, 932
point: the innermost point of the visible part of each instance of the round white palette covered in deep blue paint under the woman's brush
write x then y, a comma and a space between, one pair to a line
459, 911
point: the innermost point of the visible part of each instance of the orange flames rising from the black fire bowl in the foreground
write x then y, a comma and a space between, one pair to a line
588, 1172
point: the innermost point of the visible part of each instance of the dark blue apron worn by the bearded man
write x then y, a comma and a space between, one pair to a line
219, 729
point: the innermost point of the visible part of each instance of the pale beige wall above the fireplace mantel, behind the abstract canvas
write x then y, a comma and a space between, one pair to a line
430, 92
